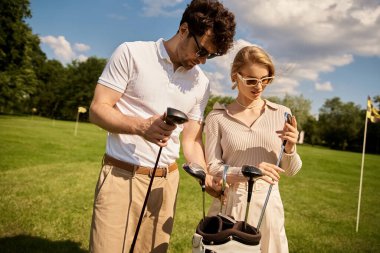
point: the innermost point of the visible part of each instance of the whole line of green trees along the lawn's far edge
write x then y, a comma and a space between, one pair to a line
29, 82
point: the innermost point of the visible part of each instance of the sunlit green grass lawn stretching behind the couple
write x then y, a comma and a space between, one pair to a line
48, 176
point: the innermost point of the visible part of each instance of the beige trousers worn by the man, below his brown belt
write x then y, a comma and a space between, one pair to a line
119, 197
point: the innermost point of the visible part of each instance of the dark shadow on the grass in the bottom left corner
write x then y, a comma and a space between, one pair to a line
33, 244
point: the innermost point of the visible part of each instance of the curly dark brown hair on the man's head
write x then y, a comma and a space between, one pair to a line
202, 15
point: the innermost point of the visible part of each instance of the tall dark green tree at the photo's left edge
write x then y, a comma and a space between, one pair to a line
20, 57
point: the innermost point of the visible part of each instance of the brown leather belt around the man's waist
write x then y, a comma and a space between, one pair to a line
160, 171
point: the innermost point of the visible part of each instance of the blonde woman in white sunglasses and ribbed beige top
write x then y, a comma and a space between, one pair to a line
250, 131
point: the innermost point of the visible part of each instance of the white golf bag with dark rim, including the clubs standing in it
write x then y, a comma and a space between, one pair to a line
221, 233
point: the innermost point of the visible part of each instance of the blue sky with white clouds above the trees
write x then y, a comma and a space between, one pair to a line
321, 49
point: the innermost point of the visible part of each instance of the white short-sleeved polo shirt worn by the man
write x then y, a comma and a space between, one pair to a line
144, 74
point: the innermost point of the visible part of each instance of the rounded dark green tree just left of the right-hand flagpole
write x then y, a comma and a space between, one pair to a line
340, 123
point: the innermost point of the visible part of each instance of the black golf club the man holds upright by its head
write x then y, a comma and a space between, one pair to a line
173, 116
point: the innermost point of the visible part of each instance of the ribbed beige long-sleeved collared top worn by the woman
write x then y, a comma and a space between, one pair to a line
228, 141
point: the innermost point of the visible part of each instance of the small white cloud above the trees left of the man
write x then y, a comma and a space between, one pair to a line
63, 51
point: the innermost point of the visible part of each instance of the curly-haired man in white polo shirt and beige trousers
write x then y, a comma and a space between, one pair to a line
140, 81
